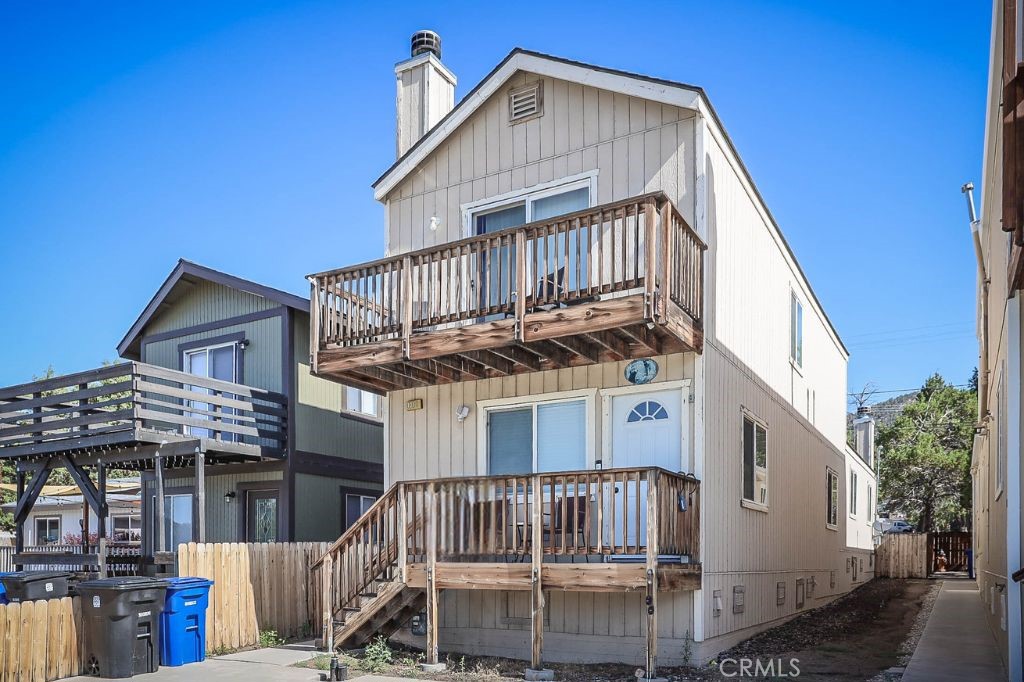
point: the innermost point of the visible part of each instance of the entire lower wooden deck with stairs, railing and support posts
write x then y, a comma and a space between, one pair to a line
604, 531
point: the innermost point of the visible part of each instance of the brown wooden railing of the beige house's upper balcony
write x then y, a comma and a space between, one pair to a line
641, 244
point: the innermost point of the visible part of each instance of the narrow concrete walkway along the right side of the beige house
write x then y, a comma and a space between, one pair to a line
958, 644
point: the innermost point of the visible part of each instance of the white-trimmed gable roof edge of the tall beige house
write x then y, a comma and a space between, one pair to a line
615, 80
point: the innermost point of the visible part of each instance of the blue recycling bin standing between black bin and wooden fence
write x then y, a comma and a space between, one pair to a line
183, 625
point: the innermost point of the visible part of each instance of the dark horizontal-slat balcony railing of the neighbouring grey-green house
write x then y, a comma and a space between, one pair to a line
88, 408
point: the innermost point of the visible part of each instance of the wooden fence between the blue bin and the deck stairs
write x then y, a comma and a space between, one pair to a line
258, 587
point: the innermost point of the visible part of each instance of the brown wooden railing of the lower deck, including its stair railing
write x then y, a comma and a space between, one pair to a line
493, 519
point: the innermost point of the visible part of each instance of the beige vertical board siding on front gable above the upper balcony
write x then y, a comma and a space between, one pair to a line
636, 146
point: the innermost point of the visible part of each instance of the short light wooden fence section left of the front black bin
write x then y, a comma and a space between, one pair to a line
42, 641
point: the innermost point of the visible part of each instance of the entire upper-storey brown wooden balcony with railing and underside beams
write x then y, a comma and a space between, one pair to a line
611, 283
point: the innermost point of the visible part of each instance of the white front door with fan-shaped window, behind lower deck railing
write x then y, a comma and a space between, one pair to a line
647, 431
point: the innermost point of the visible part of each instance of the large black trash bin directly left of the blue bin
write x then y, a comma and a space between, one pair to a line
122, 625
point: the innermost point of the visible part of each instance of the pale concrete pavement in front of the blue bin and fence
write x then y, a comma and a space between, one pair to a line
257, 666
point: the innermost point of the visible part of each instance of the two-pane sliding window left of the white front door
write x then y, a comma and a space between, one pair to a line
542, 437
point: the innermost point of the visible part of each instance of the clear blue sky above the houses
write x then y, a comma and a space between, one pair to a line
245, 136
